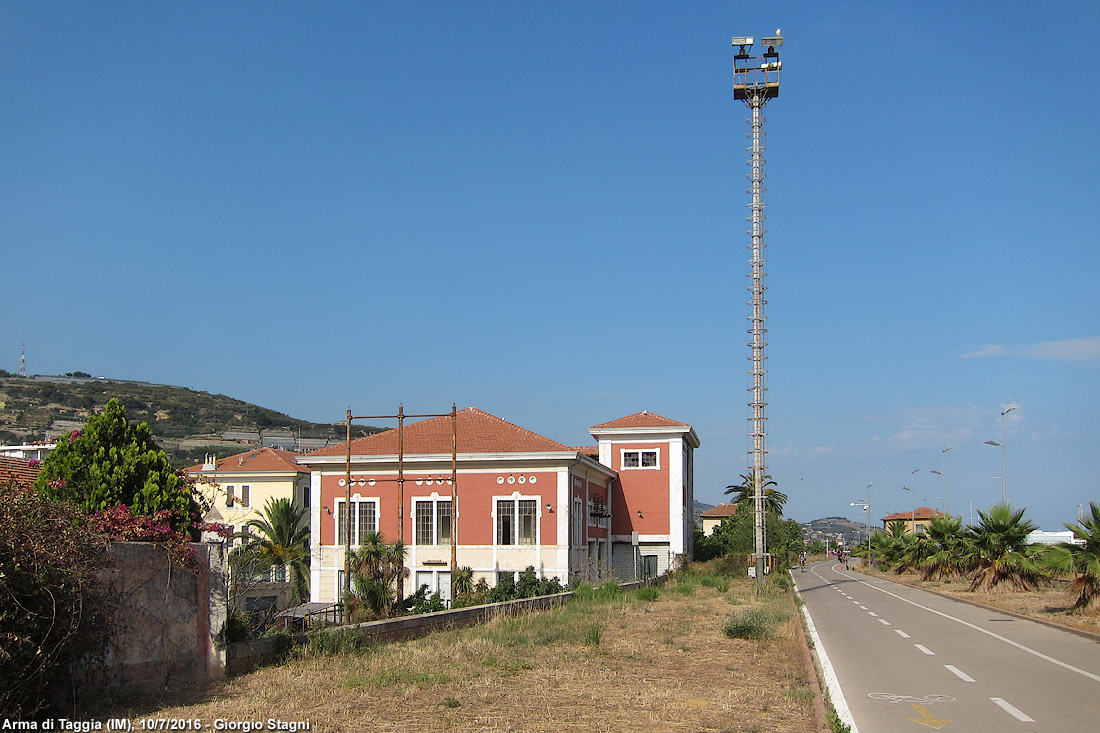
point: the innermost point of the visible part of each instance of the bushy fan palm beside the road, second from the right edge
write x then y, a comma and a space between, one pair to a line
998, 552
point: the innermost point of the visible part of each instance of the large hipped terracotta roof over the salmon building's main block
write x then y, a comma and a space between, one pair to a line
479, 433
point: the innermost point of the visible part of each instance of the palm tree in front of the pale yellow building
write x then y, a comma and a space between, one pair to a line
280, 539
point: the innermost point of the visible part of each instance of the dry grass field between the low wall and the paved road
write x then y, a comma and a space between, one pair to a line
624, 664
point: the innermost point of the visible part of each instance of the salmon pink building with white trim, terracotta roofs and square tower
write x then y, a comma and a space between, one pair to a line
621, 509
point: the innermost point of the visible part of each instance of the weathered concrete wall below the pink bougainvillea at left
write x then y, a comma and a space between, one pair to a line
166, 619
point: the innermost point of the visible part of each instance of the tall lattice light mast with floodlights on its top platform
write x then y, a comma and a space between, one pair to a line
756, 81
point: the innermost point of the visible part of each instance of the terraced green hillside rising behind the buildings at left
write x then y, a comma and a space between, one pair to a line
186, 423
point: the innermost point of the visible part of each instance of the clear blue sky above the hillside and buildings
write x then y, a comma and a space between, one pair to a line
540, 210
